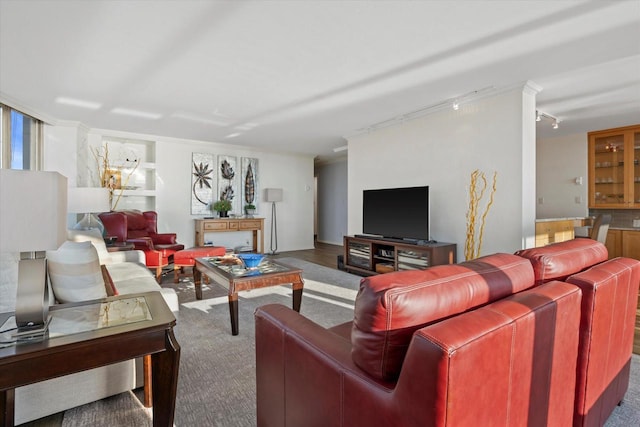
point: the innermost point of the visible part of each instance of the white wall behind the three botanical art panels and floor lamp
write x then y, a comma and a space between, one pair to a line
291, 172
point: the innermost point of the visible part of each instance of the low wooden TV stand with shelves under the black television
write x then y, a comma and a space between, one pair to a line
367, 256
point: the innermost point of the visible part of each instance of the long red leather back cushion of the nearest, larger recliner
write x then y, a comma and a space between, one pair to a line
389, 308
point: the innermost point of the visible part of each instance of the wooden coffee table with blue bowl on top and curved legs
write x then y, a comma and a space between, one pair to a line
236, 278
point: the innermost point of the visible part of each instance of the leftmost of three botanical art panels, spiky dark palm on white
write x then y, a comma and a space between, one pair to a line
203, 183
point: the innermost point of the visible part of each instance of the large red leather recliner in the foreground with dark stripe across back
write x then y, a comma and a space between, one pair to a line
455, 345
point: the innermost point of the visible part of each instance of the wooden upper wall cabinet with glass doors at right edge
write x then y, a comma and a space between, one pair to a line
614, 168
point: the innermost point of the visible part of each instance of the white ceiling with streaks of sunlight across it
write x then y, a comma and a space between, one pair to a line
302, 75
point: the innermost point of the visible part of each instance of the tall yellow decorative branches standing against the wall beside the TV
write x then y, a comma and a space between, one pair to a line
476, 194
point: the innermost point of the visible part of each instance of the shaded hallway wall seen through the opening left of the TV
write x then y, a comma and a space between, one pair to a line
332, 201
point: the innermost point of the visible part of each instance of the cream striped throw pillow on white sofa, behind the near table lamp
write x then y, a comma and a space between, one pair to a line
74, 272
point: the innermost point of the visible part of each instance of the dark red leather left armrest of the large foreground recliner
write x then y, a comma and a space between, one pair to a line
297, 362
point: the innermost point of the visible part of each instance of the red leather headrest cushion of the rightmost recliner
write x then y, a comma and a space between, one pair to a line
560, 260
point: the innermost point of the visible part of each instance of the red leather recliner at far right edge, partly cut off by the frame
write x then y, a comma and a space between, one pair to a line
609, 299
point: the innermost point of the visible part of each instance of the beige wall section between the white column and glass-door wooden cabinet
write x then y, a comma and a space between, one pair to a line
564, 159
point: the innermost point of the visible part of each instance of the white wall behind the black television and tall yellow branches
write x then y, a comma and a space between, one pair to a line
441, 150
